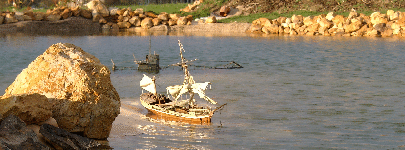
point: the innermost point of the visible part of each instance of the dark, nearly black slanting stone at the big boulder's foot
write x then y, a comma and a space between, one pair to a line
62, 139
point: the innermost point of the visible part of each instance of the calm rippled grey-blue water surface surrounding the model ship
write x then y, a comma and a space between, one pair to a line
293, 93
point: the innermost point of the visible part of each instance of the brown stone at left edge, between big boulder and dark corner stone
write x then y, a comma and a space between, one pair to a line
31, 108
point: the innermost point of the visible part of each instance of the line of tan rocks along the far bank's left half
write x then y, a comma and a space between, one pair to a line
110, 18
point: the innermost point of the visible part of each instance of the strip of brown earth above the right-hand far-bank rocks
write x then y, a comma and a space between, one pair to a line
282, 6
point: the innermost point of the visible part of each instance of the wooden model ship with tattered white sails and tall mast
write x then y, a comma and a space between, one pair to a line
173, 107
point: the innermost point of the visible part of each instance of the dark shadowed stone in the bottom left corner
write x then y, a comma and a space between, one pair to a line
14, 134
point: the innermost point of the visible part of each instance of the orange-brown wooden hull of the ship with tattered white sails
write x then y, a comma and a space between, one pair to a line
170, 115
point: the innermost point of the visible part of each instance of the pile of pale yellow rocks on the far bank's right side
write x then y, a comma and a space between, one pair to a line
356, 24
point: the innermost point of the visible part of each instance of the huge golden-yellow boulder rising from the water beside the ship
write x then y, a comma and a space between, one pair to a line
83, 97
